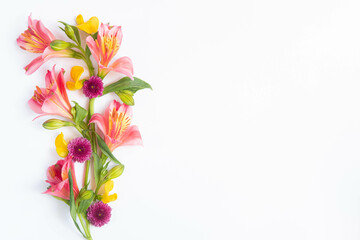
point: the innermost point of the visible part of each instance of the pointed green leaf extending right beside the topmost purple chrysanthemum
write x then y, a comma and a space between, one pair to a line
127, 84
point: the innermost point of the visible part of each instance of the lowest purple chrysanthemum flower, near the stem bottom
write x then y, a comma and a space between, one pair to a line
99, 214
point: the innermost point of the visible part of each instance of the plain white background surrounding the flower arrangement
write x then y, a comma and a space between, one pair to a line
252, 131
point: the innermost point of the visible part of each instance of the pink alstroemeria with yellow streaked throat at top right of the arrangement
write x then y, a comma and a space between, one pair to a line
105, 47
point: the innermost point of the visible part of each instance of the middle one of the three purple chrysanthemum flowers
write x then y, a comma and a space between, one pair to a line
80, 149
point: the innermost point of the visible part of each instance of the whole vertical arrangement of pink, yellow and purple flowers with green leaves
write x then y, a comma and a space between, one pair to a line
99, 134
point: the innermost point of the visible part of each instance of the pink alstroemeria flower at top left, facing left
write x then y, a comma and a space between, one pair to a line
37, 39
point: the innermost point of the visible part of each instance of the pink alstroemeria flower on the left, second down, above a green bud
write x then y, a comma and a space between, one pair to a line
53, 99
